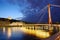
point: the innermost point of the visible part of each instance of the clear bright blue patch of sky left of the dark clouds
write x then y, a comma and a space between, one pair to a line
9, 10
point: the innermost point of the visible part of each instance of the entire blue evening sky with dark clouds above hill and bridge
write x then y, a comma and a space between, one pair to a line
34, 11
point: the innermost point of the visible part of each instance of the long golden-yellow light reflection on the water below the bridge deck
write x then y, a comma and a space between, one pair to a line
38, 33
